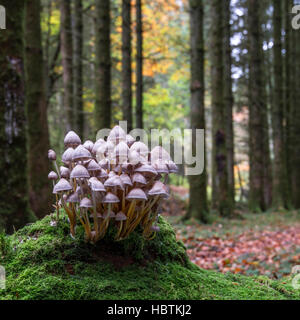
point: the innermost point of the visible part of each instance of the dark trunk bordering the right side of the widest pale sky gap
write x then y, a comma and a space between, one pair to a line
258, 129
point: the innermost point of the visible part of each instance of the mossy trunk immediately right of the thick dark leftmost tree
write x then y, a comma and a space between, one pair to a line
36, 112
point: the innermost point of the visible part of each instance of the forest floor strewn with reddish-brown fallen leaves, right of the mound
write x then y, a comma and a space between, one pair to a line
251, 244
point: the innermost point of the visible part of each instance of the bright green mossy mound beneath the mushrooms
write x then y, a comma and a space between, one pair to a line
44, 262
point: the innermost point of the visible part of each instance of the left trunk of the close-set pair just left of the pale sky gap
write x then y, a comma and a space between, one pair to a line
219, 151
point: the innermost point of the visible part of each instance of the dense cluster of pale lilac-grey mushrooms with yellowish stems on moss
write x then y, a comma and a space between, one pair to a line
117, 181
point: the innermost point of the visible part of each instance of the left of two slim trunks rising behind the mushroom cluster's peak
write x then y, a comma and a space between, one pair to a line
126, 63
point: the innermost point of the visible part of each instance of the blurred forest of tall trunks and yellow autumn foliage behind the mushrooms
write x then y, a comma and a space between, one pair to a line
231, 67
